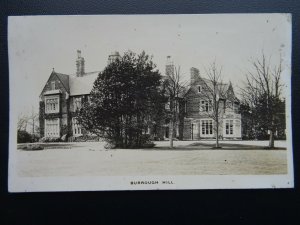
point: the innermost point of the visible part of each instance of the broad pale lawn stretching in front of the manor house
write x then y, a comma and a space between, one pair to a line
187, 158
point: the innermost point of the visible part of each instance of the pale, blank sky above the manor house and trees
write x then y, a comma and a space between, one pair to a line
39, 43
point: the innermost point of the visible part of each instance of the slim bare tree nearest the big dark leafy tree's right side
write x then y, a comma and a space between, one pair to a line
175, 87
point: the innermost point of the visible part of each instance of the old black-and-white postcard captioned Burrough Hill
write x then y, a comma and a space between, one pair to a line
150, 102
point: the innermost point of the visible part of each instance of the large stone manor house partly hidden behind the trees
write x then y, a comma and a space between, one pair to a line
63, 94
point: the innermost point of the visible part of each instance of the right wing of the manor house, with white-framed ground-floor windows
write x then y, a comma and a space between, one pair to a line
199, 120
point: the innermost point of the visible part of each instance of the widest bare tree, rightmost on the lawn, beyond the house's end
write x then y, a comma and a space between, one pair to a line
263, 93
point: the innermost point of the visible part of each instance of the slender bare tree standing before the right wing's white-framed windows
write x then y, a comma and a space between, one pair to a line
214, 93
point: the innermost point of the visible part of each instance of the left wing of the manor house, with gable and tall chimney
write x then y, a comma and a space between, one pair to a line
61, 96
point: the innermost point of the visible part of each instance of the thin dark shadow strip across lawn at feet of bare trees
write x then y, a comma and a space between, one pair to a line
208, 146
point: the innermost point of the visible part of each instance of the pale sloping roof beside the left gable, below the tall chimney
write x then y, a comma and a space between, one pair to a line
82, 85
